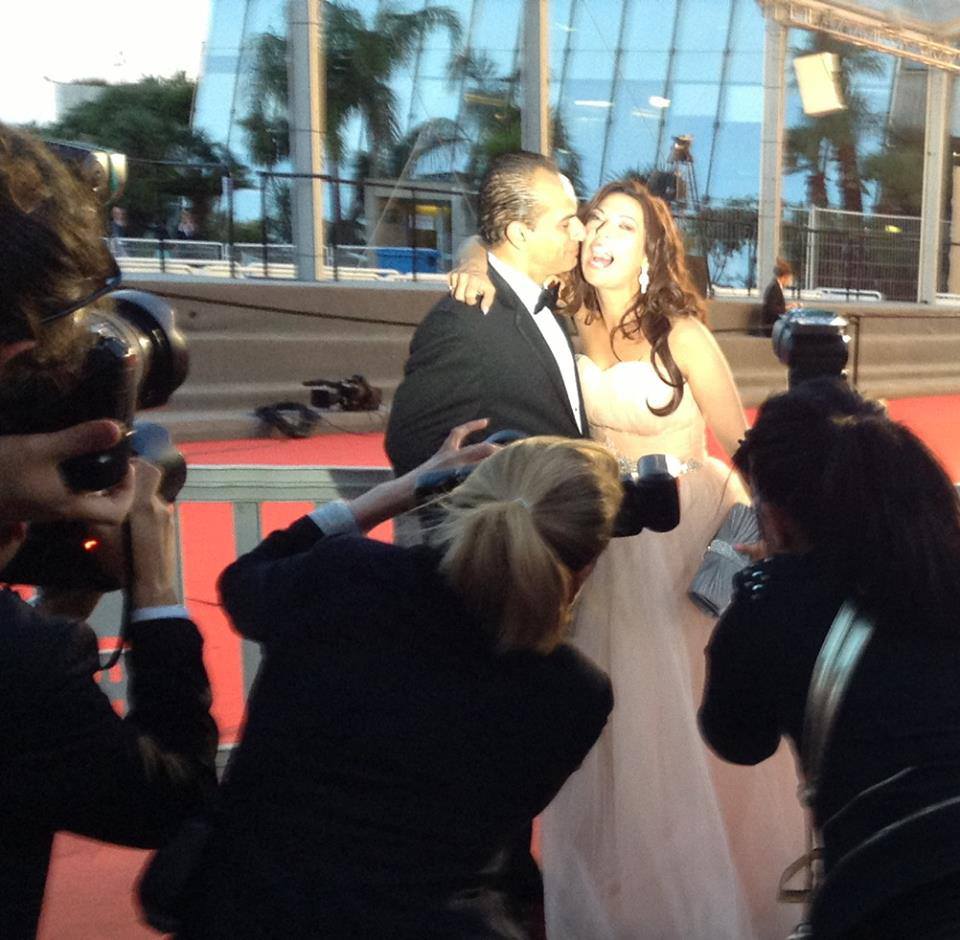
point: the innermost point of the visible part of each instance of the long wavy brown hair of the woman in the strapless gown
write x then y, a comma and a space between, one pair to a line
670, 294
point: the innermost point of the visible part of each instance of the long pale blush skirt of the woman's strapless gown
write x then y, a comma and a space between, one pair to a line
654, 838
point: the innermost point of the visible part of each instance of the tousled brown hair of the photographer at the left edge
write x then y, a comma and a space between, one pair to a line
52, 253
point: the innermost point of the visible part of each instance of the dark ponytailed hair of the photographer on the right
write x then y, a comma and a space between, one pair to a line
870, 498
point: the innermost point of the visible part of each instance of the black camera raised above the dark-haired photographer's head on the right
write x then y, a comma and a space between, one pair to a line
811, 344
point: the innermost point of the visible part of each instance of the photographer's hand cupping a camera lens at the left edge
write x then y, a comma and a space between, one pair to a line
33, 489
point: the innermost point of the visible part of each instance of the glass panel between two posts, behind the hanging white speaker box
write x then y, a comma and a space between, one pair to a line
855, 175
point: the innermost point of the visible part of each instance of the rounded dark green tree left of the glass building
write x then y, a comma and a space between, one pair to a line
150, 120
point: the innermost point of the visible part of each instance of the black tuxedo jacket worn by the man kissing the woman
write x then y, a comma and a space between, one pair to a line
464, 365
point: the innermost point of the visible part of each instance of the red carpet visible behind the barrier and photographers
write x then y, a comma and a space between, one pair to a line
89, 888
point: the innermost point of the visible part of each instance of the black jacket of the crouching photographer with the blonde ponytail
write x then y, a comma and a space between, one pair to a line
390, 756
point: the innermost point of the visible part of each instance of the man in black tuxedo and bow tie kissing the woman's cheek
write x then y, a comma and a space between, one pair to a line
514, 363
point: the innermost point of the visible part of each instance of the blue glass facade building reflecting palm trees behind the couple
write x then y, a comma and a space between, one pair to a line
435, 89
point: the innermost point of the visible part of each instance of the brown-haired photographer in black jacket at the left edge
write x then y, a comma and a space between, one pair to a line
67, 760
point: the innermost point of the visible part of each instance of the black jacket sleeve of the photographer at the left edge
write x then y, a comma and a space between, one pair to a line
70, 762
